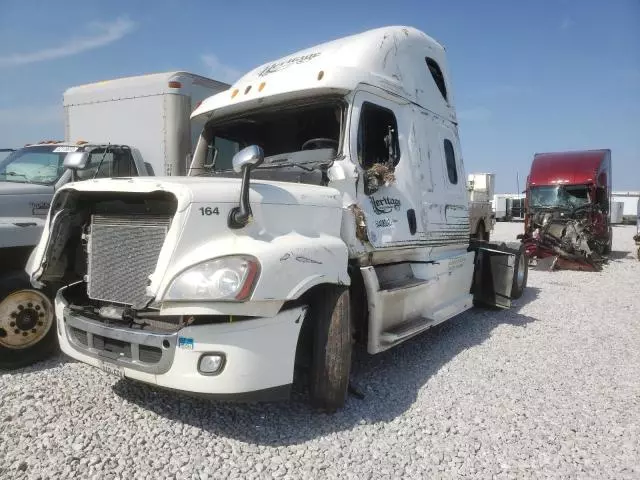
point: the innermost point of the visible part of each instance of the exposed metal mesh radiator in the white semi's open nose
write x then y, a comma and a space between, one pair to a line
123, 252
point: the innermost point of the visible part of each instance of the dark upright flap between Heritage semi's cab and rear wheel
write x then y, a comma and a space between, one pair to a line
493, 277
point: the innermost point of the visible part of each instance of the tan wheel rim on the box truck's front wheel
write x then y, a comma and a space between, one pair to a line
26, 317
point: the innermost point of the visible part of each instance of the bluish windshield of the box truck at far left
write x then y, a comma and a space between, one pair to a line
40, 164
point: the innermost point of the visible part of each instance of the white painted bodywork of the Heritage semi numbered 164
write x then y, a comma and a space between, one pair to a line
303, 235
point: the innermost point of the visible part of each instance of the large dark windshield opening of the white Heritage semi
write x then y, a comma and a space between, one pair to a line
287, 135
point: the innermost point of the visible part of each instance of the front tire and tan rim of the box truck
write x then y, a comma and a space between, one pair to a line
27, 323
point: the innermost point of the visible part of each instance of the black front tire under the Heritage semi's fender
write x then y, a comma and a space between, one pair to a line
331, 348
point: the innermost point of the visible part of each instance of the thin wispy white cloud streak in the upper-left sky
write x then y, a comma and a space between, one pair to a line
103, 33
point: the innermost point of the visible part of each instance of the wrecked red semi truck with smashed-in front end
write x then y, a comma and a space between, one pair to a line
567, 203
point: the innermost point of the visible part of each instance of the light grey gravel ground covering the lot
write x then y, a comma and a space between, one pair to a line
548, 389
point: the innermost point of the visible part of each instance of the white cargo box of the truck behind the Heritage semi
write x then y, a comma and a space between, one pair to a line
149, 112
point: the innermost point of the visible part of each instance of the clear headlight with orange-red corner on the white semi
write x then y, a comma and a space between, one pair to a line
227, 278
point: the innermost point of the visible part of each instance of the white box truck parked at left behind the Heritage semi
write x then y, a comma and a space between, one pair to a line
143, 127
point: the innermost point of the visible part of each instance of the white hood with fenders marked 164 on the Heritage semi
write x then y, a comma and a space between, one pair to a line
294, 232
